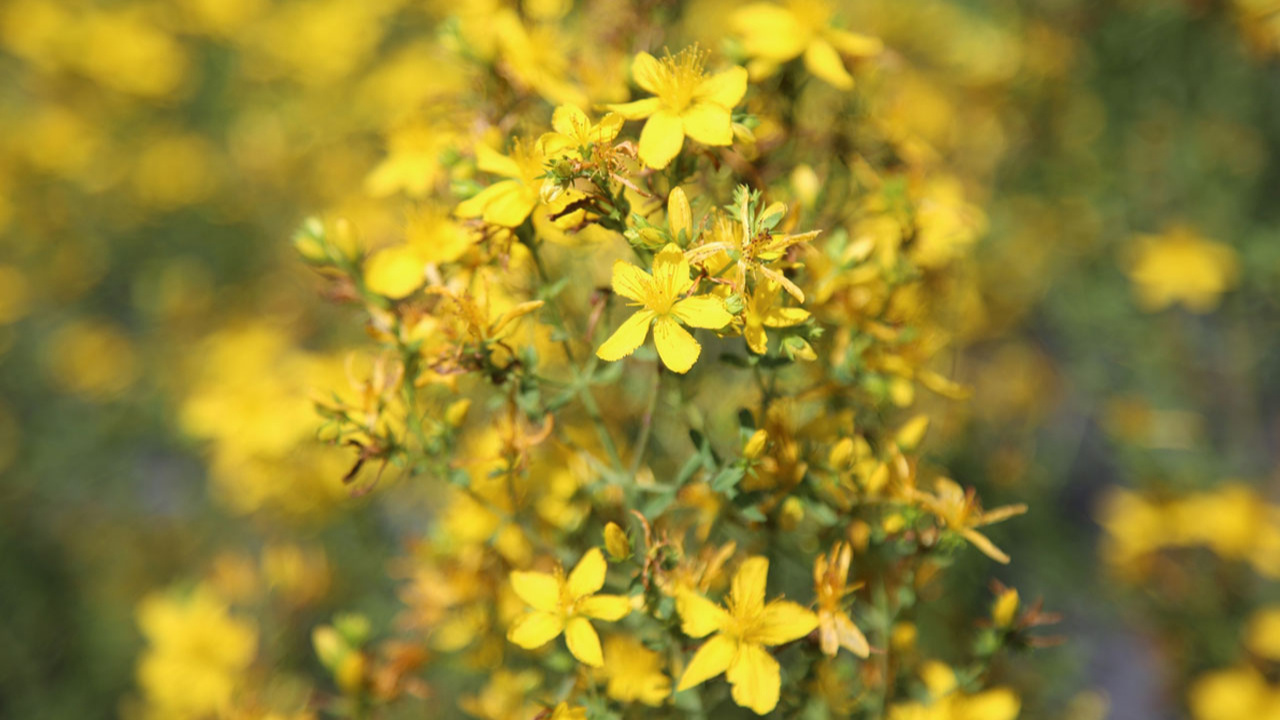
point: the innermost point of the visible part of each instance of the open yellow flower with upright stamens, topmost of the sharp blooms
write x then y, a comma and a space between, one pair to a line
688, 102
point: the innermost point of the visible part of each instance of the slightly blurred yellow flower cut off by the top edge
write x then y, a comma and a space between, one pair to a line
778, 34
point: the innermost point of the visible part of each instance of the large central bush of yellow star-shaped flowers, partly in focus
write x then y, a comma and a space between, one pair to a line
502, 320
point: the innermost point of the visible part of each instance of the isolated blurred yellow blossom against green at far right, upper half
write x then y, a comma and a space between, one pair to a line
1181, 267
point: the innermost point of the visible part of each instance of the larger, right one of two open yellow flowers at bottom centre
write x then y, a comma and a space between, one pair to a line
743, 630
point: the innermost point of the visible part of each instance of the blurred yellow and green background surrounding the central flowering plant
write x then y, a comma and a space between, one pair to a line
159, 338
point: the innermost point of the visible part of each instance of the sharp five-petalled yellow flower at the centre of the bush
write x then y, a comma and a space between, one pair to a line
660, 298
